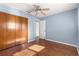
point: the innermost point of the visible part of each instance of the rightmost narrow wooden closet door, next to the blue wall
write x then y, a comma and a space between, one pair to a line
23, 30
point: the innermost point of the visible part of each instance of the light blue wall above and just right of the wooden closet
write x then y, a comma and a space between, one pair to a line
31, 20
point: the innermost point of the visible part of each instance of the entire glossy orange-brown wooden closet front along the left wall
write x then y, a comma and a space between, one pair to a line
13, 30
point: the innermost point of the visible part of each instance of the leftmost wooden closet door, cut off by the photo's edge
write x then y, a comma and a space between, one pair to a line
3, 41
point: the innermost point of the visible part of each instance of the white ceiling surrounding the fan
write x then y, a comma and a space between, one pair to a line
54, 8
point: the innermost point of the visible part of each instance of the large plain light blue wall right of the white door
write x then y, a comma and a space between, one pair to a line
62, 27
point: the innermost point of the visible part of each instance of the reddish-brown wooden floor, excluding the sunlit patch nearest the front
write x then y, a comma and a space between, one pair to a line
42, 47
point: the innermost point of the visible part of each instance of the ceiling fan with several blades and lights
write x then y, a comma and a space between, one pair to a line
38, 10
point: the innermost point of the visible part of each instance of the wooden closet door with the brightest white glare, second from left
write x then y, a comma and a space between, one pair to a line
11, 30
